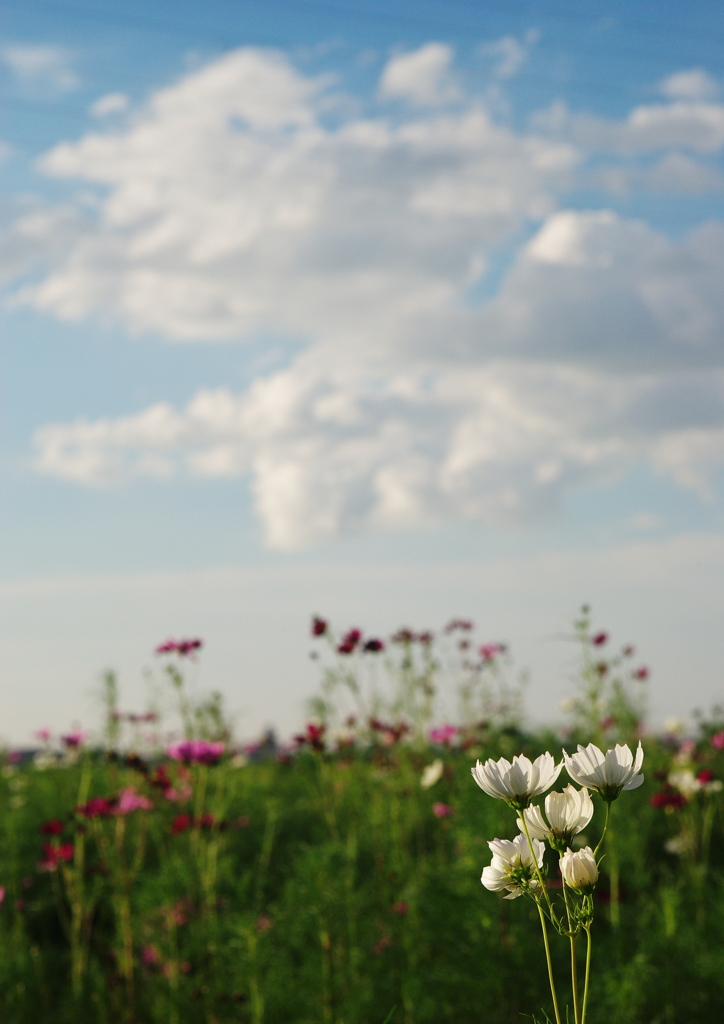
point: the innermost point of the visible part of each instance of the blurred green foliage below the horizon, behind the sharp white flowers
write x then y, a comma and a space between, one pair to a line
325, 889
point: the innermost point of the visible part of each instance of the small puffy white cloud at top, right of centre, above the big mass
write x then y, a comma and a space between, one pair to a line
423, 77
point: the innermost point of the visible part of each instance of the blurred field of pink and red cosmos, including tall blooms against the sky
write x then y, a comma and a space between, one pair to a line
336, 880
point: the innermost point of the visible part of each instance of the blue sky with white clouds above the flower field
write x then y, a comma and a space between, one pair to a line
388, 312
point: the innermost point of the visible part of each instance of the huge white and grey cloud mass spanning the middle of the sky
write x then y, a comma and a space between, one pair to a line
246, 199
